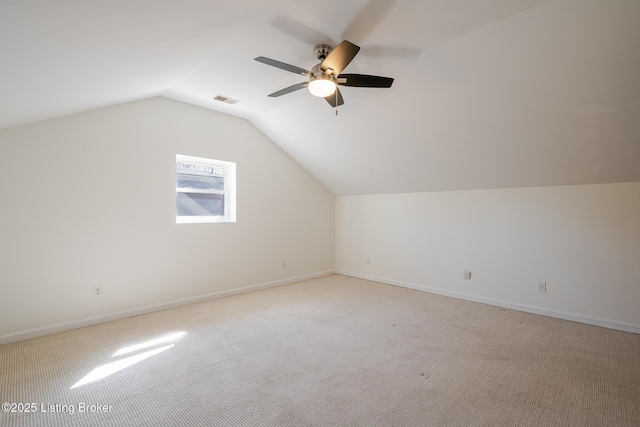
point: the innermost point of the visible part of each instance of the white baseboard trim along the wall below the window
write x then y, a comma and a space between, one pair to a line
74, 324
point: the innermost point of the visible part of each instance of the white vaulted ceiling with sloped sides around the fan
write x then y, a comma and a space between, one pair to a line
488, 93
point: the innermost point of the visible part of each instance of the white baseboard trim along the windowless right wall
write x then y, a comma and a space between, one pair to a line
605, 323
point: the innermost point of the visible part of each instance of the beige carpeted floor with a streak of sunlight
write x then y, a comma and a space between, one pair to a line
332, 351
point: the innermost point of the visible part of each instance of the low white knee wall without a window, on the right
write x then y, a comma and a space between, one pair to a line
583, 240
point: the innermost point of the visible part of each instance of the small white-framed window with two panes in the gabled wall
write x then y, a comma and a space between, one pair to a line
205, 190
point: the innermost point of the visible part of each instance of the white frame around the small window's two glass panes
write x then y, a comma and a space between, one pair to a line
229, 191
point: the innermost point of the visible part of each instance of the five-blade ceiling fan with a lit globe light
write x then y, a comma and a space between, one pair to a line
325, 77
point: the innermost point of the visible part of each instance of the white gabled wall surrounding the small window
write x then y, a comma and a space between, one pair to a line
89, 200
